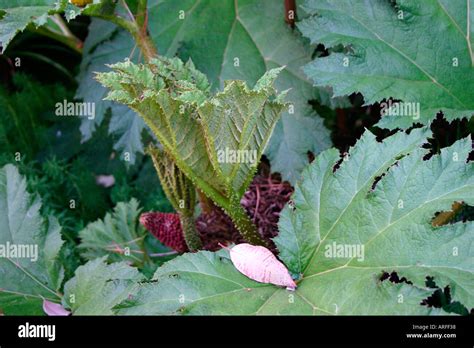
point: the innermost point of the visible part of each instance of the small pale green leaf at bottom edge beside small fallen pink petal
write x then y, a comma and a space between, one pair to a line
97, 287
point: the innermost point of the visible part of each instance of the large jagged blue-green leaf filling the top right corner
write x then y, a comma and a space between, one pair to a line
414, 51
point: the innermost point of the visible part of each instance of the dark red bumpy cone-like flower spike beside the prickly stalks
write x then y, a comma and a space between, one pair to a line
166, 227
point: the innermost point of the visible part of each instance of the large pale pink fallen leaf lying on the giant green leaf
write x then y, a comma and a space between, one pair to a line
259, 264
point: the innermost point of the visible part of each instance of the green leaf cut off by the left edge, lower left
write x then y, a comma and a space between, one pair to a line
27, 278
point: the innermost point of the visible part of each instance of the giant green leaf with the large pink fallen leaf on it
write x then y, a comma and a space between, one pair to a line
380, 199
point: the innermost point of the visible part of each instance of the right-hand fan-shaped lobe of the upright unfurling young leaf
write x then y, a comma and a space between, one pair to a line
248, 122
